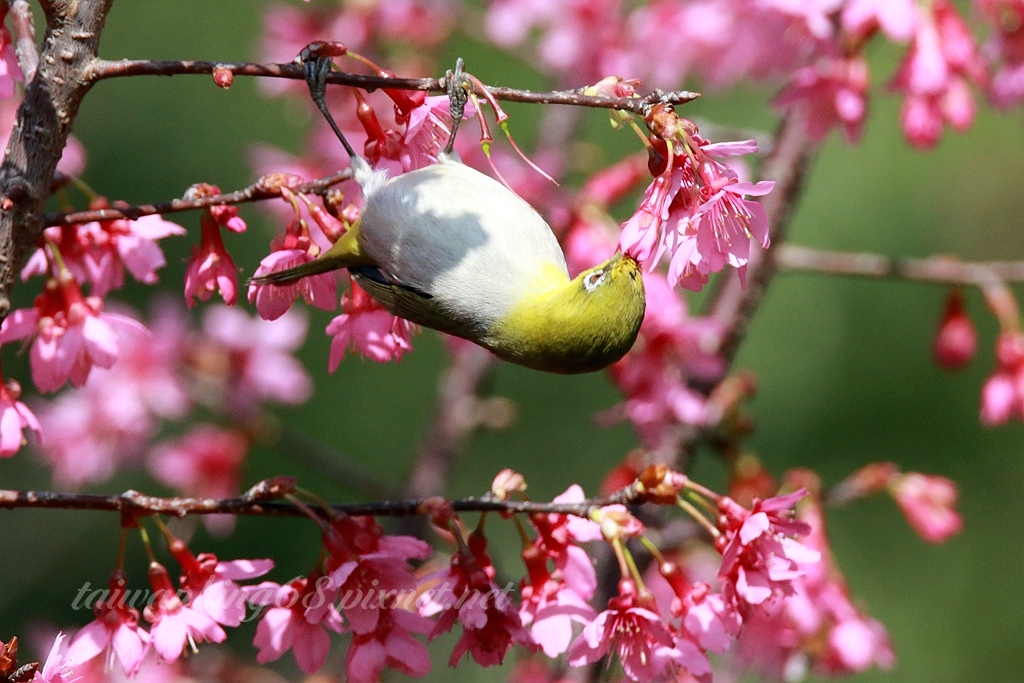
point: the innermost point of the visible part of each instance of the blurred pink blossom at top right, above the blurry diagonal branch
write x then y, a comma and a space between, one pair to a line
833, 93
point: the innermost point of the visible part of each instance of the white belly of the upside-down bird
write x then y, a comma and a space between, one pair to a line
461, 237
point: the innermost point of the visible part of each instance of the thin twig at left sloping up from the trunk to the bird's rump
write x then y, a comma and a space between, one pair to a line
258, 192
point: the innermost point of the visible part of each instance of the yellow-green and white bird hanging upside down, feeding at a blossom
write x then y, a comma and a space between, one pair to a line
450, 248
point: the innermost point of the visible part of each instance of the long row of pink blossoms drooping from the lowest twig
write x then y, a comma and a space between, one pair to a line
769, 604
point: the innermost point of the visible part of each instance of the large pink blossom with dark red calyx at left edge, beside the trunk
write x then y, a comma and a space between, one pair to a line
71, 334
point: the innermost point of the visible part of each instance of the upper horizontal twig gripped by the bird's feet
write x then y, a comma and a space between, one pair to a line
104, 69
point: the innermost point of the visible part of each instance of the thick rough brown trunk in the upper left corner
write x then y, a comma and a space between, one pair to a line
45, 120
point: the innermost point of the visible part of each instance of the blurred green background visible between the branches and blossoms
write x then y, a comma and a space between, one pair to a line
844, 366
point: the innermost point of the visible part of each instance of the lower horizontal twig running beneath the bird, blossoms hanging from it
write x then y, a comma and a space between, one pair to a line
135, 503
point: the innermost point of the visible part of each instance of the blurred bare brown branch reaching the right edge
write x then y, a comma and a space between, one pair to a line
940, 269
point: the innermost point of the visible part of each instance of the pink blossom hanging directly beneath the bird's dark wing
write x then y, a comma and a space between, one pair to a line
369, 329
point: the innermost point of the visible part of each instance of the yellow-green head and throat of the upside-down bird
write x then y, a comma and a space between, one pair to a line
579, 327
